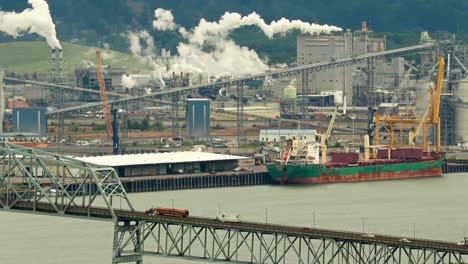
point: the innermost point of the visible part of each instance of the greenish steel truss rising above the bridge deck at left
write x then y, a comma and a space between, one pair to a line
40, 177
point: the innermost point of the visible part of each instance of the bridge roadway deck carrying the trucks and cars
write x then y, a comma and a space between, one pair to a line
123, 215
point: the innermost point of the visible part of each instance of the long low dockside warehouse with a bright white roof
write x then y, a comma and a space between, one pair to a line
151, 164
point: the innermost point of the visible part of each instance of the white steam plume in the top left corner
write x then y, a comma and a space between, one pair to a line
32, 20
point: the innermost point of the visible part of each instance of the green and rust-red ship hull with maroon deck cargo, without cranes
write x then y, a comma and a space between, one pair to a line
346, 167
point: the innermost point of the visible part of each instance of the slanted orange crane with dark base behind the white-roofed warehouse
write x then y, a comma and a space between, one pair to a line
111, 122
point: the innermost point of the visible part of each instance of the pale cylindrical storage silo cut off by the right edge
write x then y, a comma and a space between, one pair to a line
461, 114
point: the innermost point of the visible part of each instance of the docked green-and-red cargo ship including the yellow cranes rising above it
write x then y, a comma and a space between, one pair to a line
301, 161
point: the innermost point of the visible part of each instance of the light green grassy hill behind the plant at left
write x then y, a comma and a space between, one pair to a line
34, 56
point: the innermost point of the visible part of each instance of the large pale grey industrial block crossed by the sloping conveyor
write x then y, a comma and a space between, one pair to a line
313, 49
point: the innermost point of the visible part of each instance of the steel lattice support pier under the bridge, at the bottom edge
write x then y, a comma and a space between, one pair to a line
128, 242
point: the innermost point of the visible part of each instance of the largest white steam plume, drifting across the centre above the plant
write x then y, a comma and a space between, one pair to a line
224, 56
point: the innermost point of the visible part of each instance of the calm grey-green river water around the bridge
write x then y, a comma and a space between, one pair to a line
432, 208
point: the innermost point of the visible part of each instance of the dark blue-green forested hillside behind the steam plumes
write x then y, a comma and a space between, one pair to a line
94, 23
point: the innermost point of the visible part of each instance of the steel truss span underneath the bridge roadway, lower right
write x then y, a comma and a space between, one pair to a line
135, 239
